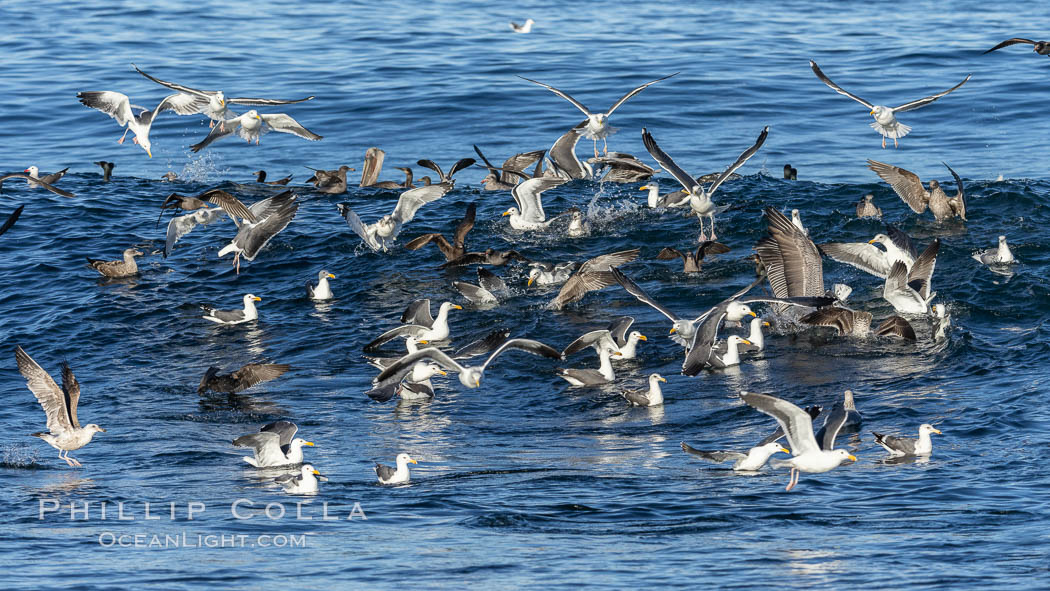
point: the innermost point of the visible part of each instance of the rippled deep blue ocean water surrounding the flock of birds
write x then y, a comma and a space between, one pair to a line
523, 482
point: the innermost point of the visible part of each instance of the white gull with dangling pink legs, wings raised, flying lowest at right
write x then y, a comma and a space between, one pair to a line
797, 424
